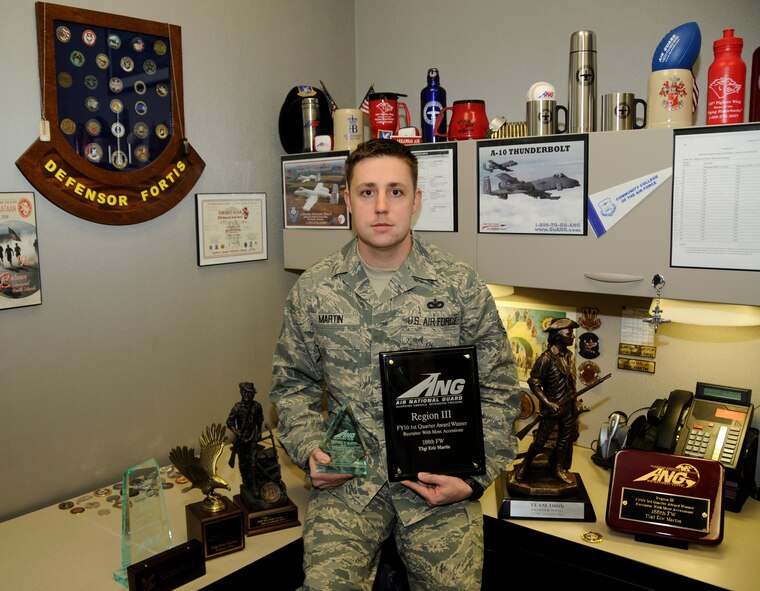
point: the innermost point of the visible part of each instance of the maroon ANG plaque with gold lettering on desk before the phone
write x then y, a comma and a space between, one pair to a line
666, 499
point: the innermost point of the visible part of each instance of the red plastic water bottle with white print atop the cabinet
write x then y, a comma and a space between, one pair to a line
725, 81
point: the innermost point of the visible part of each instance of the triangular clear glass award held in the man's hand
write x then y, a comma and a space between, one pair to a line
344, 444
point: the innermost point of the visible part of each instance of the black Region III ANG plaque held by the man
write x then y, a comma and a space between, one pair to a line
431, 405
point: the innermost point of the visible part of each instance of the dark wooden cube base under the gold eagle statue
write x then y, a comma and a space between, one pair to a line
220, 532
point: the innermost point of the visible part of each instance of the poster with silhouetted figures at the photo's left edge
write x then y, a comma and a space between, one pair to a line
19, 268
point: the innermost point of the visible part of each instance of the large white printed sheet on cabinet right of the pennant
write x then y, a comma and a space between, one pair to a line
716, 198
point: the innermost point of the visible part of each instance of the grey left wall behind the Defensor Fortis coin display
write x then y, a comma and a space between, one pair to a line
135, 348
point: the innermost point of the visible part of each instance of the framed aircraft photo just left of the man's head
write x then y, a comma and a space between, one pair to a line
312, 191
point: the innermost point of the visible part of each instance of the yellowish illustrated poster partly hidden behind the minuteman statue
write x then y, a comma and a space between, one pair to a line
525, 324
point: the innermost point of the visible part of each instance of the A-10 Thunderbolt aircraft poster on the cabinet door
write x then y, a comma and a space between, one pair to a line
533, 185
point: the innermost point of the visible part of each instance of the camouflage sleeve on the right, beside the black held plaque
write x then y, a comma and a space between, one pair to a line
499, 386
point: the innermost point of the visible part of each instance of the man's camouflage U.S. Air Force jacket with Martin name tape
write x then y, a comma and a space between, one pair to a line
334, 327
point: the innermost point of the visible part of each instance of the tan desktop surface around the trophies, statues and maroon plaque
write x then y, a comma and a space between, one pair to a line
53, 549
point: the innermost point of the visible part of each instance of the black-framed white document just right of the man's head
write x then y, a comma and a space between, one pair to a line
437, 177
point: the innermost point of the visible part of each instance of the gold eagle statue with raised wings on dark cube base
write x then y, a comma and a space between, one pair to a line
216, 522
